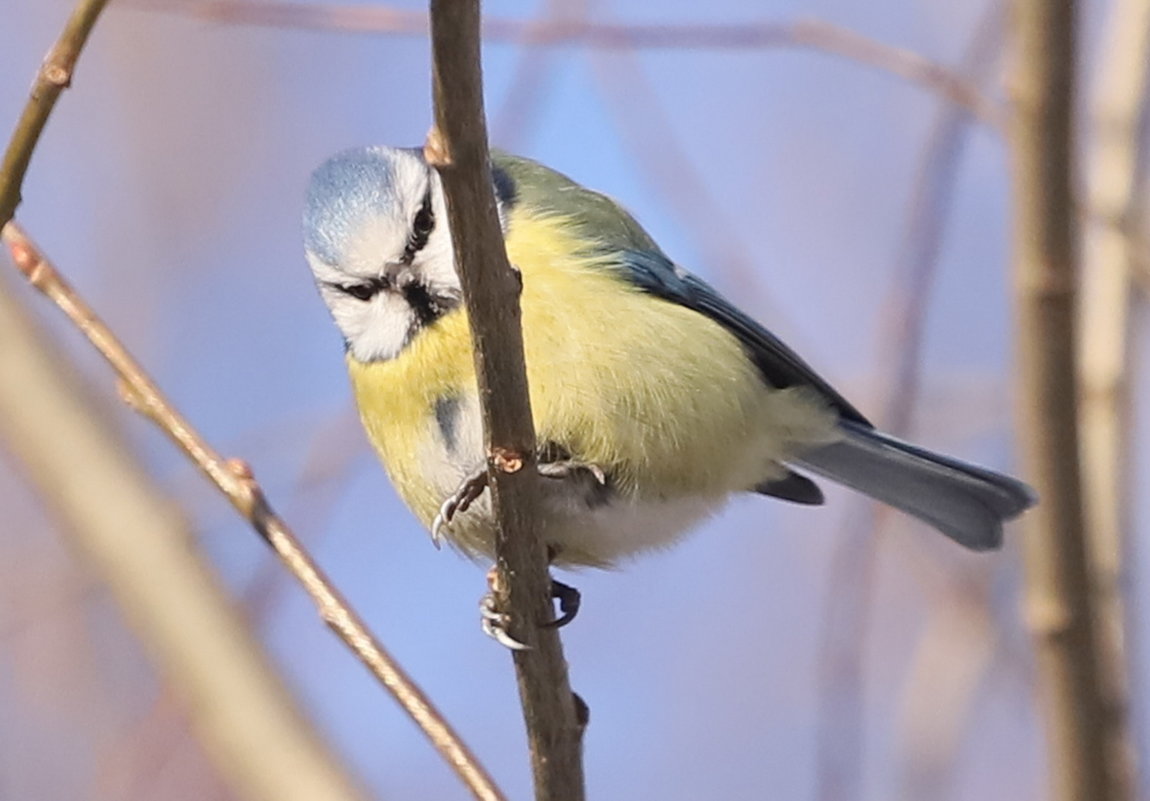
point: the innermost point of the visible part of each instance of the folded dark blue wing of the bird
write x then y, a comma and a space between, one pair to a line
779, 365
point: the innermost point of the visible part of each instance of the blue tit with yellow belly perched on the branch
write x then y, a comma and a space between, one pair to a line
655, 398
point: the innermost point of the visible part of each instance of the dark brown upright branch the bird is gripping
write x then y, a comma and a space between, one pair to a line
458, 148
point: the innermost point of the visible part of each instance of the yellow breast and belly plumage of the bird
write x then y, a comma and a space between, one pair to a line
661, 397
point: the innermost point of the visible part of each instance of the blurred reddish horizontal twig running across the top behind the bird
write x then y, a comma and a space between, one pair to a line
803, 34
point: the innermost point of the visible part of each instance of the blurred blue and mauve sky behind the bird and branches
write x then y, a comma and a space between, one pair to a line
170, 186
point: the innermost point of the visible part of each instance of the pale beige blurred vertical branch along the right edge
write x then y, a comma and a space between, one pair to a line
1103, 366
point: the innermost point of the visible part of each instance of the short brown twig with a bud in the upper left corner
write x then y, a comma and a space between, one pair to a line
55, 78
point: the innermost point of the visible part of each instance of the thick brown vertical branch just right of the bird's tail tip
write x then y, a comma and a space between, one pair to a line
1062, 607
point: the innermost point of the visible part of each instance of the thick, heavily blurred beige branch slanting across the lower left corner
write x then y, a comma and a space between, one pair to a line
136, 541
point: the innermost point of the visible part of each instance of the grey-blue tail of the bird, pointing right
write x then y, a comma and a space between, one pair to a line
967, 503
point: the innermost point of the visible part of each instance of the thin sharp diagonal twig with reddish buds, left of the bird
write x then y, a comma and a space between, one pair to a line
234, 477
